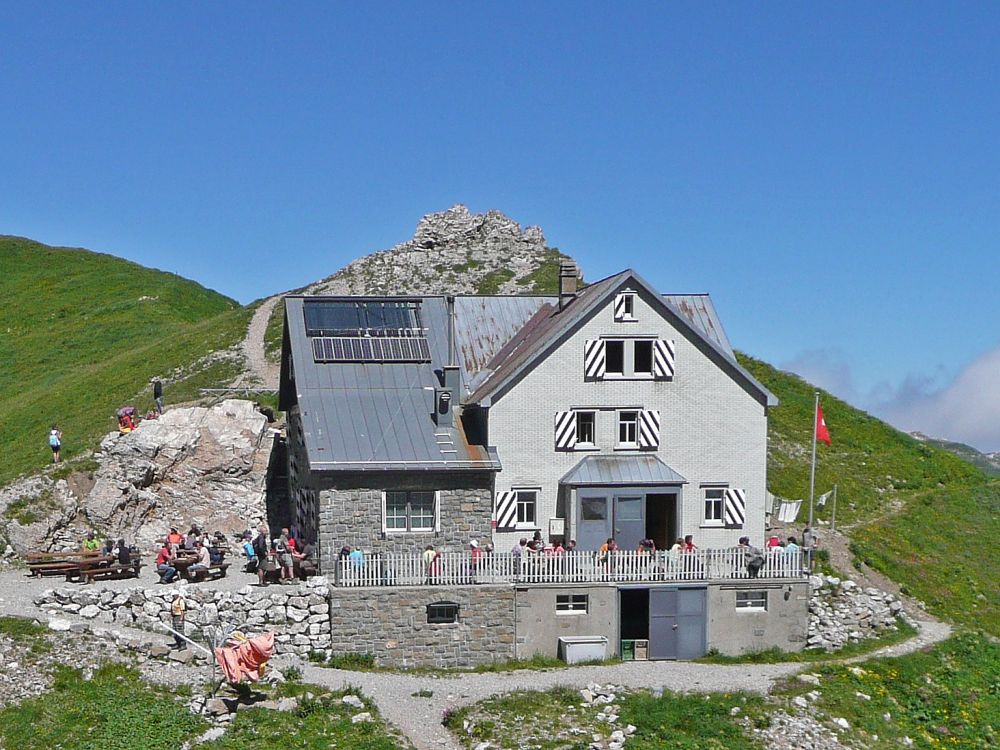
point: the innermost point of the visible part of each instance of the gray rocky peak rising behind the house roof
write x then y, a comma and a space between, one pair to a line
452, 252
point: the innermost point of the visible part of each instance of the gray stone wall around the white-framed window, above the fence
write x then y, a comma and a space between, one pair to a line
350, 512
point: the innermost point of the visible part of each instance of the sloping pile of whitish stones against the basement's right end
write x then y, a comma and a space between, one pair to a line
842, 612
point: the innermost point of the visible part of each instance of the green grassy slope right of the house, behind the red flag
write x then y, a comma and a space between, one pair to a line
920, 514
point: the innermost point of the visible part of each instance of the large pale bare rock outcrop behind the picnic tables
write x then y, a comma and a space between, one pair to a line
197, 465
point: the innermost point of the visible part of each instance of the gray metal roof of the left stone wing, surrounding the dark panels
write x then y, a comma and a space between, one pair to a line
377, 416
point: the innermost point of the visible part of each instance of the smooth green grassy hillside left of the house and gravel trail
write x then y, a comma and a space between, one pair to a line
82, 333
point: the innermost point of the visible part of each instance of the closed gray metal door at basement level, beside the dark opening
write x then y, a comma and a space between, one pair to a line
677, 622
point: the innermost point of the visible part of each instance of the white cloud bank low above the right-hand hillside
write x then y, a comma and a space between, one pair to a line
967, 409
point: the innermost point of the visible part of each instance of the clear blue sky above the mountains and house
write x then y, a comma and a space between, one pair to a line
830, 174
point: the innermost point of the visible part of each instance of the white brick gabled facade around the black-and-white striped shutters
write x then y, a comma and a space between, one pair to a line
713, 428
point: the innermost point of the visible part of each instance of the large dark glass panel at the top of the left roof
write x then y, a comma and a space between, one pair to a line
370, 318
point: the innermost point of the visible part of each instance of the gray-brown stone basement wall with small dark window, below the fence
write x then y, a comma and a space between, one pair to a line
392, 625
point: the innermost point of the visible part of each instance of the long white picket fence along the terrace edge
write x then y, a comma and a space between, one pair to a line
457, 568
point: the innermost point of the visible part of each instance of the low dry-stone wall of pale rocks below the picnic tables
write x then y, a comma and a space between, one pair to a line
299, 615
